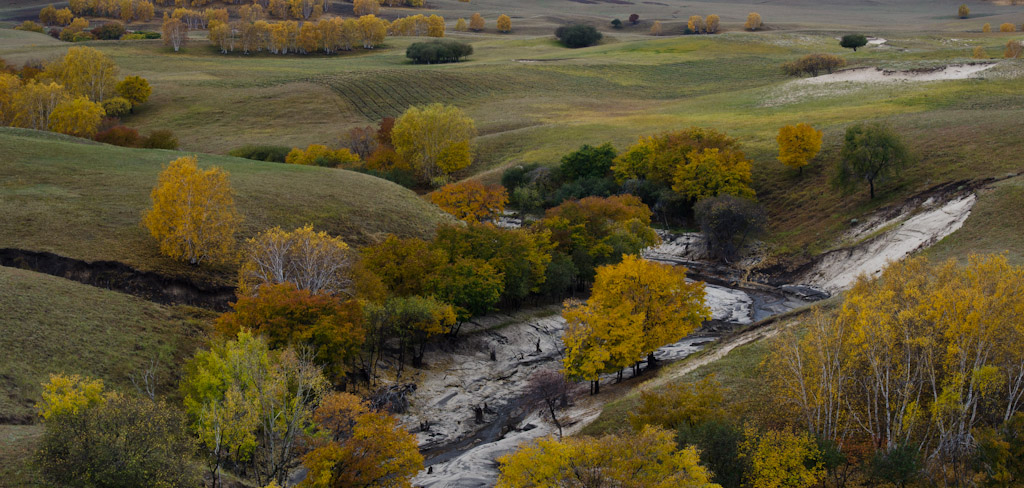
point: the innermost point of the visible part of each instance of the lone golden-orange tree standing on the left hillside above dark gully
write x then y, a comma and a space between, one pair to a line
193, 216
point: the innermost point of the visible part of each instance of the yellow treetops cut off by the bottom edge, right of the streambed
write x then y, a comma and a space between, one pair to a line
650, 459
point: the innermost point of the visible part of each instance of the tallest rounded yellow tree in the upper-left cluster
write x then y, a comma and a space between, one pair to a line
86, 72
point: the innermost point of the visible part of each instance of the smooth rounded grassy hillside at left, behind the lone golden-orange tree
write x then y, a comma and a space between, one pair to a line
84, 201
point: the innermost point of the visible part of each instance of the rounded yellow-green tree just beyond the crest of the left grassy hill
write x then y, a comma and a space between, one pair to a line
436, 140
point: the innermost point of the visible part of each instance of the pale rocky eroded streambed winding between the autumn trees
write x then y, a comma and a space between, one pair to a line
460, 452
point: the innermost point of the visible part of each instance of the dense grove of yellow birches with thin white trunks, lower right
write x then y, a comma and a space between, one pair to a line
924, 357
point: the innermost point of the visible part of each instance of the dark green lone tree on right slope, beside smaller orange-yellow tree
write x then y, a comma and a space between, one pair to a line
872, 153
